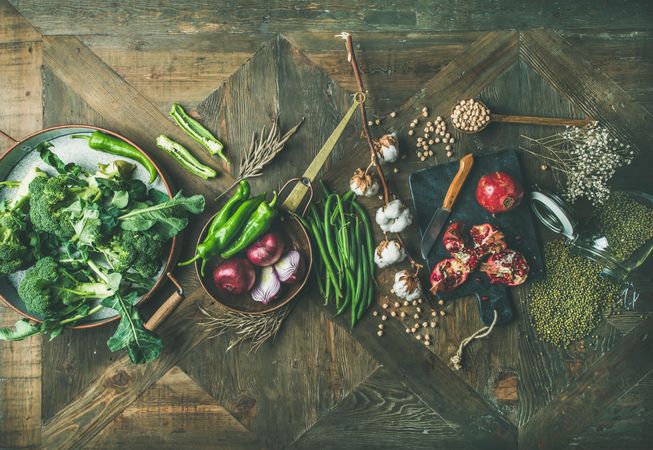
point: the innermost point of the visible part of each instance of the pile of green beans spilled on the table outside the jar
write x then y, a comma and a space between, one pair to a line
568, 304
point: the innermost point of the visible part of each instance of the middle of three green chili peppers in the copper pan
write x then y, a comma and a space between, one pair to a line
214, 243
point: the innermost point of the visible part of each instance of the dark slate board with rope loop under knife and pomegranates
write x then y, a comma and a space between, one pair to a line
428, 188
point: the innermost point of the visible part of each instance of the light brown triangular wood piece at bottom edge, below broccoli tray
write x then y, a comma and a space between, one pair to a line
175, 413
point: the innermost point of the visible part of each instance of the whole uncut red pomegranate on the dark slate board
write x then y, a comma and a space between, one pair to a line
498, 192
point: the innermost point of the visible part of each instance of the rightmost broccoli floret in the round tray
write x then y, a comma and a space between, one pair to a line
135, 250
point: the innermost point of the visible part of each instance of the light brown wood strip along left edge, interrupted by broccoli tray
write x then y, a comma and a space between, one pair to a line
20, 362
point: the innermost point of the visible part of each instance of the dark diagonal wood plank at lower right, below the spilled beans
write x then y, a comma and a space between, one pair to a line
578, 406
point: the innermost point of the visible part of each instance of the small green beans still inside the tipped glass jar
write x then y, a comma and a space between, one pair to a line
626, 223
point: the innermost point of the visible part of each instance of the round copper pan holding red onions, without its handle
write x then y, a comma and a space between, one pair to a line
295, 237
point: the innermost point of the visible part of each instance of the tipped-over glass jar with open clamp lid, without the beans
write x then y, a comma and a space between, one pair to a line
590, 241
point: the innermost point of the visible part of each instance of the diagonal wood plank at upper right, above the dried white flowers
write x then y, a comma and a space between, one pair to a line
591, 90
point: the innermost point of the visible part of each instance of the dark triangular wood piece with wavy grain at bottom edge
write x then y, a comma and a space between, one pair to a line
381, 413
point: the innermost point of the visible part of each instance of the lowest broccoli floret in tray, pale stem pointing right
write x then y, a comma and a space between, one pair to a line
48, 286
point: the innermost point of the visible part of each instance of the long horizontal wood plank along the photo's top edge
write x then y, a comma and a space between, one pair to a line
191, 17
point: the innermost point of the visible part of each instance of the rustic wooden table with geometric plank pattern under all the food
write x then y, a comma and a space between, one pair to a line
120, 64
